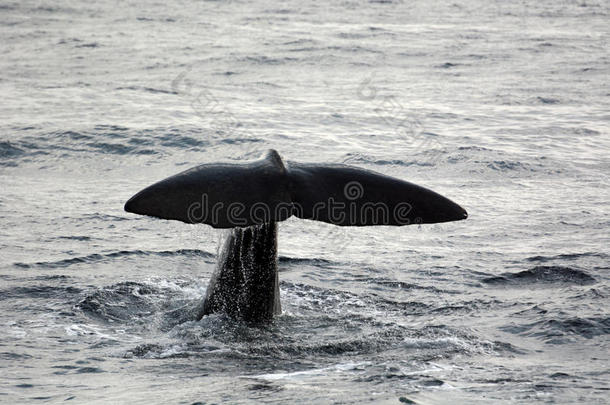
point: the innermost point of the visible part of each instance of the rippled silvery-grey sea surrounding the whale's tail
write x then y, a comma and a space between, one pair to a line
502, 106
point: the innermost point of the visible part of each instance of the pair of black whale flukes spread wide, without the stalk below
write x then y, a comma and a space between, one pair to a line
268, 190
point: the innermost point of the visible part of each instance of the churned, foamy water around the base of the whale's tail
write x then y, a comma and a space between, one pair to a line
152, 306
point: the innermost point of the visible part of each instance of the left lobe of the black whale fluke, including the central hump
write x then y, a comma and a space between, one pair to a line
223, 195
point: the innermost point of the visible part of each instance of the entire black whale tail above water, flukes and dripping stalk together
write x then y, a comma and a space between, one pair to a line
252, 197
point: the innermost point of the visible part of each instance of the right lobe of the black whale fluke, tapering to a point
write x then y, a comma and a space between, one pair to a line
350, 196
